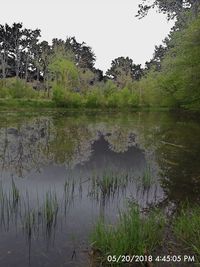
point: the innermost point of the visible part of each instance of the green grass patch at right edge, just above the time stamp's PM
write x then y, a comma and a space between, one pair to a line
186, 227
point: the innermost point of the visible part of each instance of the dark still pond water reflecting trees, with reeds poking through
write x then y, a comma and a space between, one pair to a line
61, 171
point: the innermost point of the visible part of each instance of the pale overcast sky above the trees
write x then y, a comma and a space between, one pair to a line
108, 26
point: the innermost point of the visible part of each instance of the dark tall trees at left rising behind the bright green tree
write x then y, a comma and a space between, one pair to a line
23, 56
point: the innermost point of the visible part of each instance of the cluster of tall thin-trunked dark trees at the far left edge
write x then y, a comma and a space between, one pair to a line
16, 47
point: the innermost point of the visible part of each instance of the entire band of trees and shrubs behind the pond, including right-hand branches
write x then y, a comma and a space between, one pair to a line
64, 71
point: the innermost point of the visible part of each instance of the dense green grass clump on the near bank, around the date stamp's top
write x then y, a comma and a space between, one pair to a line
134, 234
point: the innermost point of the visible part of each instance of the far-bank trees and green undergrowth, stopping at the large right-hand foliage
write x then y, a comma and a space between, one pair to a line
63, 71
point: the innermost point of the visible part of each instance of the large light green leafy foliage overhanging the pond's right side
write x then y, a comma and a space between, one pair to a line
178, 82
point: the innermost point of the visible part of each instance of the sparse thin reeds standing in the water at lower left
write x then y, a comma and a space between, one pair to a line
15, 207
